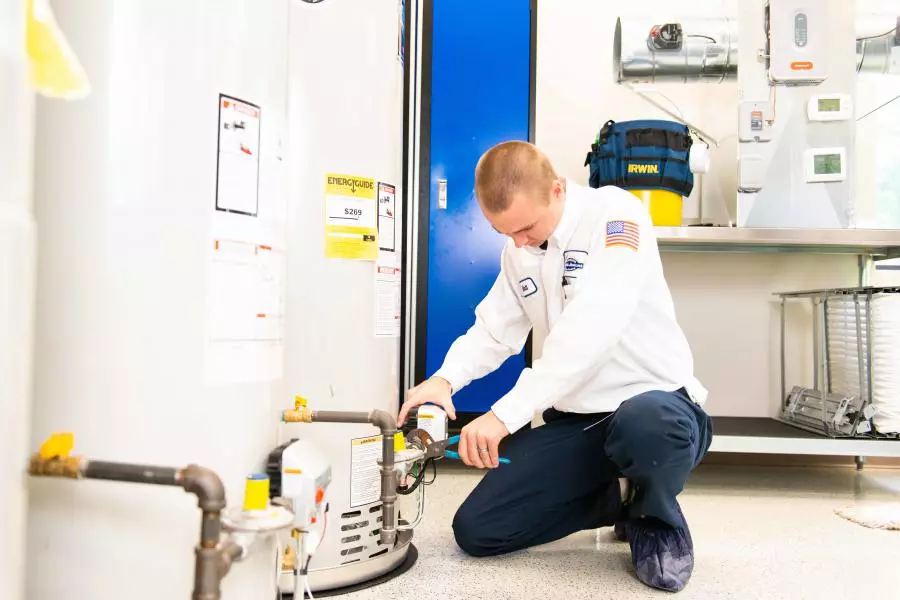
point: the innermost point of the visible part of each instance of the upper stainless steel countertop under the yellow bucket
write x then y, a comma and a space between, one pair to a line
882, 243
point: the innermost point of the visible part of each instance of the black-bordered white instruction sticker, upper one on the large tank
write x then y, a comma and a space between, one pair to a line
237, 170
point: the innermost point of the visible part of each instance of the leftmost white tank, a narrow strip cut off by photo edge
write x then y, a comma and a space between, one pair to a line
17, 258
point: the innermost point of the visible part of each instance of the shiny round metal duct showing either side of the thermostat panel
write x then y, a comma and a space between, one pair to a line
706, 50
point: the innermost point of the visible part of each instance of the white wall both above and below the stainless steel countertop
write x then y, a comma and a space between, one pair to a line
724, 301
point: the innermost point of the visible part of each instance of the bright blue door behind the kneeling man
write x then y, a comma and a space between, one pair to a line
481, 77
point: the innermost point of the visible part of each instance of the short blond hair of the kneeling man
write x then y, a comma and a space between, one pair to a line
509, 168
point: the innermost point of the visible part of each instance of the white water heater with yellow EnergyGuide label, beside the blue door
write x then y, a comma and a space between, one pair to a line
343, 301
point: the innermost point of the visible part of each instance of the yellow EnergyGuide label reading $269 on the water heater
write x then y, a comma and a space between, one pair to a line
351, 217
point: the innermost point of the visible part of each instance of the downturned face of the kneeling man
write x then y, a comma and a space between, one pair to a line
530, 219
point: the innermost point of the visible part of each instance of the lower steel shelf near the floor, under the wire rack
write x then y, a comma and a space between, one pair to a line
748, 435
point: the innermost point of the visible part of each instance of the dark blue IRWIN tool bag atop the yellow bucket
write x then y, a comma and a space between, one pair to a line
643, 155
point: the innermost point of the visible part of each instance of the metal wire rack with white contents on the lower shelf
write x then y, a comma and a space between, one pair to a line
856, 360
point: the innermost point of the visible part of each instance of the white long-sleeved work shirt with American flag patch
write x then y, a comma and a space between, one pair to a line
598, 300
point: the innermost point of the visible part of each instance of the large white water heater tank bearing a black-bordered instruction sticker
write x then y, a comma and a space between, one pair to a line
160, 220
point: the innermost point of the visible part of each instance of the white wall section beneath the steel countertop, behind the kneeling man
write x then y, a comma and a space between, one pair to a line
725, 304
